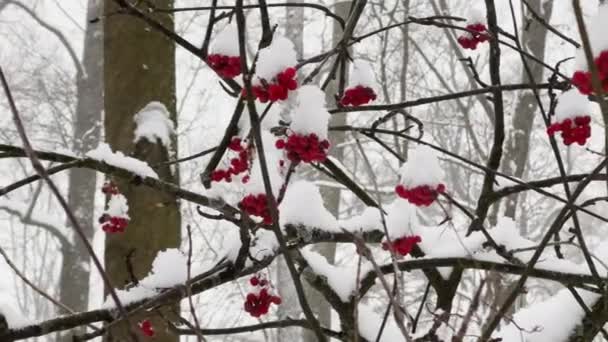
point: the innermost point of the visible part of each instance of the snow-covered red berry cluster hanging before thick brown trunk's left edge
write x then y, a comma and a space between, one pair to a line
115, 218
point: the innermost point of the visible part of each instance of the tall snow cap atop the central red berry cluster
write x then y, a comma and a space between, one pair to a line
310, 114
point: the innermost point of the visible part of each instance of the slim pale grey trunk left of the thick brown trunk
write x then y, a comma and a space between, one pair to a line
74, 276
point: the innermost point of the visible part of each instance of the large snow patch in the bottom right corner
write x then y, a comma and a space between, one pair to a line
551, 320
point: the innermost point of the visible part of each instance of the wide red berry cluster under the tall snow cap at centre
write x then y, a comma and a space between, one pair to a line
307, 148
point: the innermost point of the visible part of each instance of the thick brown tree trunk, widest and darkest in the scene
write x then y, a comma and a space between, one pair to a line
140, 68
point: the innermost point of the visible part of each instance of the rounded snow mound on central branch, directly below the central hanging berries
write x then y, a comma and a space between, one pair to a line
303, 204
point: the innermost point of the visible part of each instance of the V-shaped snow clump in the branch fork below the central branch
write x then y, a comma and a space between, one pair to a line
342, 279
